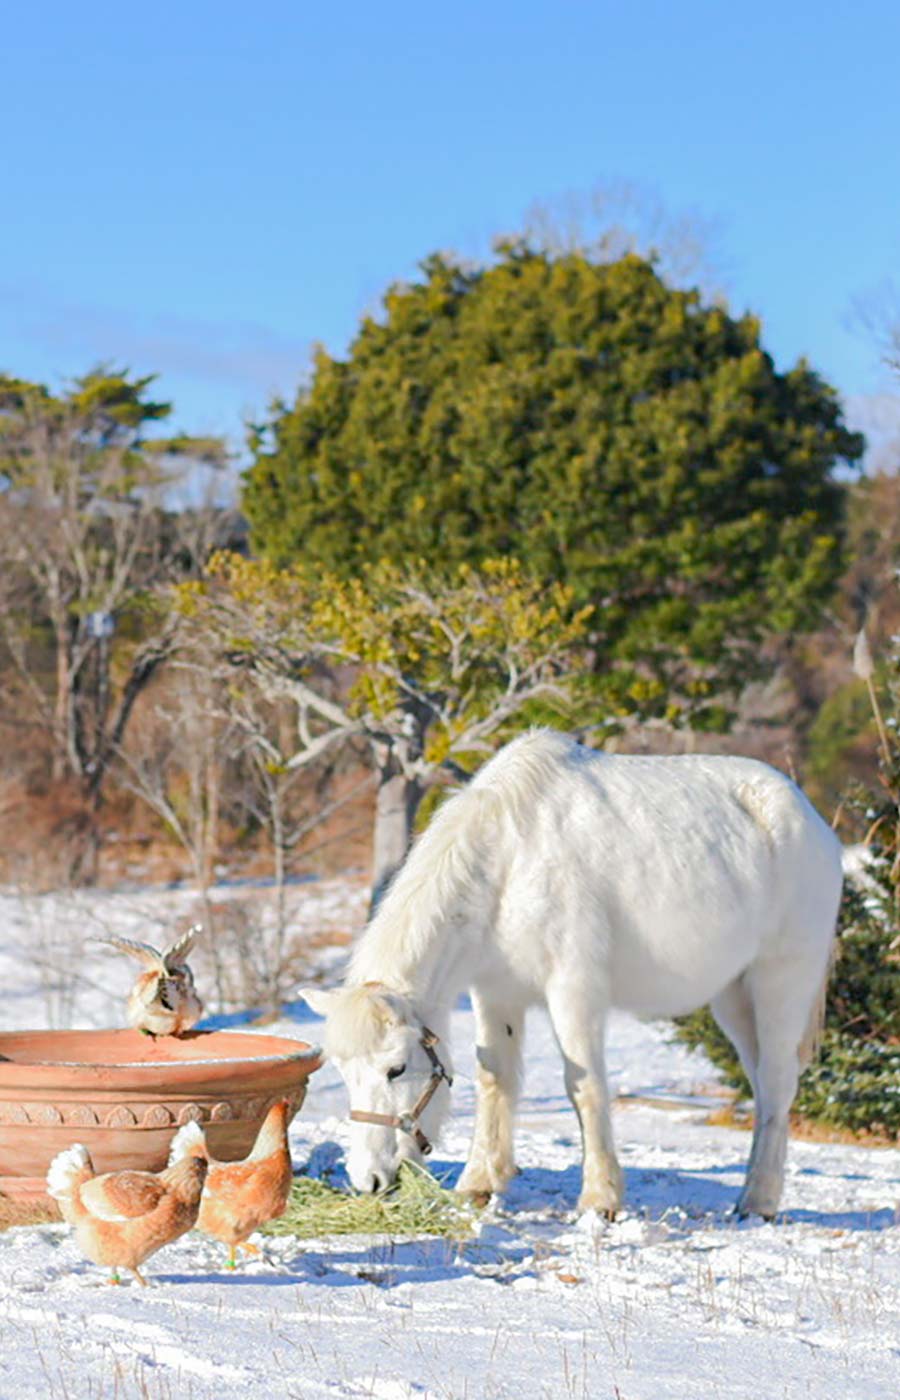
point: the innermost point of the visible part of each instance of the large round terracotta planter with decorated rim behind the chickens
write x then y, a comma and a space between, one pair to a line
125, 1095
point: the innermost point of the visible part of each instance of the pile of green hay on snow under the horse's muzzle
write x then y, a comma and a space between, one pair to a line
416, 1206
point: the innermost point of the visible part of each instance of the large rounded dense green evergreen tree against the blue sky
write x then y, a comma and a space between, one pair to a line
611, 432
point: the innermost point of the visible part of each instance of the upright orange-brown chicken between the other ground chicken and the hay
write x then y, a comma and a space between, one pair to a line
239, 1198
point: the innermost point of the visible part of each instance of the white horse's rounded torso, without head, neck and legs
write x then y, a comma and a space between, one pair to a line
667, 877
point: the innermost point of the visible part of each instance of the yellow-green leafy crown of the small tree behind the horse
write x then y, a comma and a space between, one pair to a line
470, 647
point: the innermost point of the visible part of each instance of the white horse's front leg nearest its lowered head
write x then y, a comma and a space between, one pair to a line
499, 1053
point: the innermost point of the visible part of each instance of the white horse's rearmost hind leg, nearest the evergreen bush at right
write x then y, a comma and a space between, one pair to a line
782, 1017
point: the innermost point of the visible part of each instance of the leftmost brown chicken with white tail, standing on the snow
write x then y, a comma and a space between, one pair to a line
121, 1219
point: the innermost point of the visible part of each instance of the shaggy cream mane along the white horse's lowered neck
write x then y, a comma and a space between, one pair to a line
447, 866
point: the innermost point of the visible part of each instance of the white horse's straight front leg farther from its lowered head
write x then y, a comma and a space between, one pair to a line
580, 1032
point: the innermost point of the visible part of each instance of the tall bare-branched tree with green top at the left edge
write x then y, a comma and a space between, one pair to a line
86, 535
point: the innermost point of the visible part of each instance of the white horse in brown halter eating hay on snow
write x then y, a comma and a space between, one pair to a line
587, 881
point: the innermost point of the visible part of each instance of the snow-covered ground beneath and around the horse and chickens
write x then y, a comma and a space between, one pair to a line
674, 1300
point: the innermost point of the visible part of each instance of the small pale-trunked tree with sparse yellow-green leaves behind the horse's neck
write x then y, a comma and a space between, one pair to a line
430, 674
